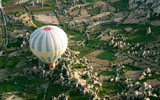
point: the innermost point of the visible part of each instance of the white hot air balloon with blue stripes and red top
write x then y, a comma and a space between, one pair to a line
48, 43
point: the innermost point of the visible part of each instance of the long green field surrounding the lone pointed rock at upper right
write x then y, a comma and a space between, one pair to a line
139, 35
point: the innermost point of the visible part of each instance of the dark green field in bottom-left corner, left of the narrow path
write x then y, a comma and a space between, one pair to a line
21, 84
